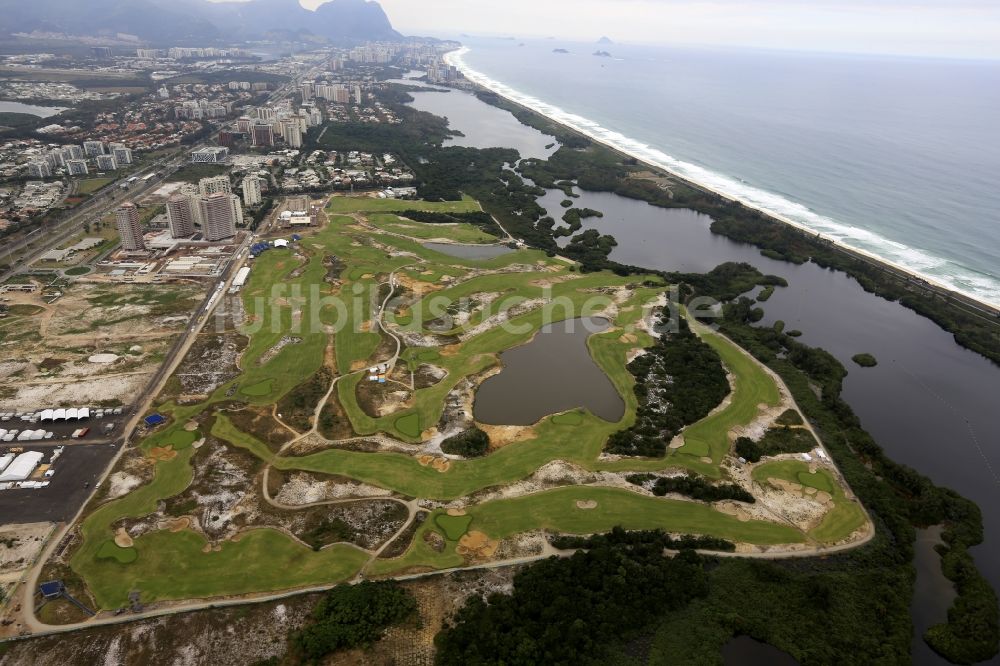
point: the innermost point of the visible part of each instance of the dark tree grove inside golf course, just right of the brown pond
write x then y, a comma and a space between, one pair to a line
679, 380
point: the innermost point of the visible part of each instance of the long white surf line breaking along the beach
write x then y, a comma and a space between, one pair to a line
765, 202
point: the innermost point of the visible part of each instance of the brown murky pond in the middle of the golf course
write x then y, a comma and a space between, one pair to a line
552, 373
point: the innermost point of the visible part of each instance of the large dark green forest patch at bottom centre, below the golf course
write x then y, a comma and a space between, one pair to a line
568, 611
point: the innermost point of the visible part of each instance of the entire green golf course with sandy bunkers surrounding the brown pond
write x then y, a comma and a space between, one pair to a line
327, 432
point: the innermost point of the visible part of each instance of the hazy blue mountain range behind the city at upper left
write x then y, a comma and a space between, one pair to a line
165, 21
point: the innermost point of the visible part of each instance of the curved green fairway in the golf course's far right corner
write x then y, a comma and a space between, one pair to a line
841, 521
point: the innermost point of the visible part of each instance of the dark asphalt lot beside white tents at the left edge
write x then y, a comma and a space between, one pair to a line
76, 471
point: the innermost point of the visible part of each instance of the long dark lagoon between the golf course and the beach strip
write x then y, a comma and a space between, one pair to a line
929, 403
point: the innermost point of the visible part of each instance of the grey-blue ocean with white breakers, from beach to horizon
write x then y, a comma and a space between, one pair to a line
898, 157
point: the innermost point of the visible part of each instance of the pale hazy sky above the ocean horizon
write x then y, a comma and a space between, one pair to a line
919, 27
